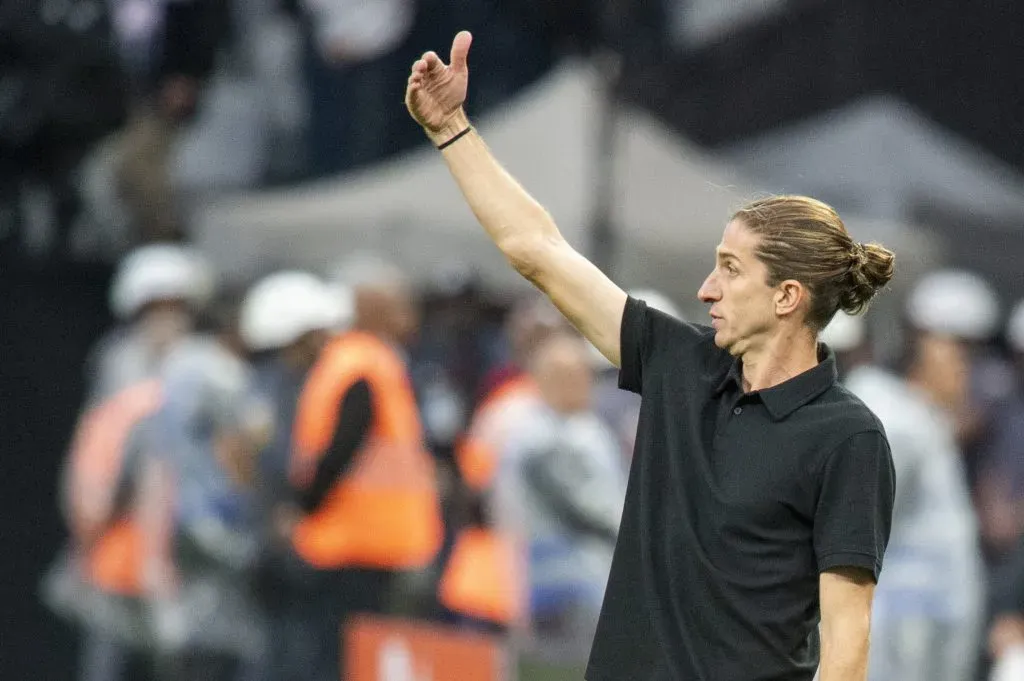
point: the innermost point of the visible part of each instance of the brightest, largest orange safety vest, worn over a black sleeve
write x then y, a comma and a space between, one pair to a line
386, 513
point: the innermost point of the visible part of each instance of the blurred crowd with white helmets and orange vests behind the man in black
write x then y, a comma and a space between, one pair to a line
257, 466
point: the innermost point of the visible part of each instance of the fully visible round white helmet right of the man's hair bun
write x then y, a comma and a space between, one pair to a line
955, 303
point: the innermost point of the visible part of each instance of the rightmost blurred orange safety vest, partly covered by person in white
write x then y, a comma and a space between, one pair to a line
484, 577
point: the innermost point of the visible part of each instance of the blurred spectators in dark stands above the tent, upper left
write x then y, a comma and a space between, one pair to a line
119, 117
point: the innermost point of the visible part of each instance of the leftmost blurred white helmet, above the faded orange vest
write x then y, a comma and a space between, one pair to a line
160, 272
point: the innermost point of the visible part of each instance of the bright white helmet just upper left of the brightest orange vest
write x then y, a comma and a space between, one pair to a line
283, 308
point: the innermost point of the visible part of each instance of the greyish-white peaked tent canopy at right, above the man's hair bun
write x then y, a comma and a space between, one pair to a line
879, 156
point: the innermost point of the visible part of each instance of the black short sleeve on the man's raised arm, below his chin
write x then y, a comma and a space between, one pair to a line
650, 336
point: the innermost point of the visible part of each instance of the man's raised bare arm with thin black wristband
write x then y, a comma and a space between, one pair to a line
520, 227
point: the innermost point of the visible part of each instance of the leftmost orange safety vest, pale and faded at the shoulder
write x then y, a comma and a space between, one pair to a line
113, 547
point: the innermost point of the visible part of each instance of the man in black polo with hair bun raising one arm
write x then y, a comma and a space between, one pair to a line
761, 493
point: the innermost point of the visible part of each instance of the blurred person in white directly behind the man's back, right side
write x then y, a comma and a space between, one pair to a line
929, 604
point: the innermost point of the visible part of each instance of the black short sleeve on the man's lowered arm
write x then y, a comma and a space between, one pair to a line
854, 517
